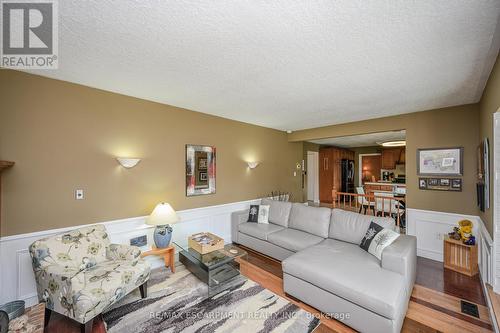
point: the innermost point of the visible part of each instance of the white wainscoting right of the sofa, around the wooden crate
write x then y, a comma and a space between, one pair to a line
430, 227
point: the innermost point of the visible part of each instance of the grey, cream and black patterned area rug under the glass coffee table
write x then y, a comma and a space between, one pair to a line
178, 303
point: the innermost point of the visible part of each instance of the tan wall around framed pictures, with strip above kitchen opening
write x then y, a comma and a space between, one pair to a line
449, 127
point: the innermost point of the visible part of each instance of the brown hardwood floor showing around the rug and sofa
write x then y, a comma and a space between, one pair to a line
434, 305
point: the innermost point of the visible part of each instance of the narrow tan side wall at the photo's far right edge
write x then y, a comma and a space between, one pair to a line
490, 103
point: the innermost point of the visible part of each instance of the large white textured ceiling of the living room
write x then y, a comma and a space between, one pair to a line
283, 64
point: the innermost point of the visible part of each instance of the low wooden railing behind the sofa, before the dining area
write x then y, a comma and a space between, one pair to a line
371, 204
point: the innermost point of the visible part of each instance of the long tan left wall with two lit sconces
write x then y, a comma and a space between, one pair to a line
64, 136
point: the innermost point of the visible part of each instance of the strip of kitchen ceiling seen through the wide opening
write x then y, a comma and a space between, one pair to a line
363, 140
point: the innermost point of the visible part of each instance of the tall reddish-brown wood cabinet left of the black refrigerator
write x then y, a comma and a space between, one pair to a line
330, 171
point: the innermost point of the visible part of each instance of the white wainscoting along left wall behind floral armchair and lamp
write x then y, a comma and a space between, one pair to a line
16, 275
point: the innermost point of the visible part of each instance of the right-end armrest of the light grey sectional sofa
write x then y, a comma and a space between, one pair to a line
401, 257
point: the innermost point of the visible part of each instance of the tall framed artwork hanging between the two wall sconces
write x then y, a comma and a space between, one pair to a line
200, 170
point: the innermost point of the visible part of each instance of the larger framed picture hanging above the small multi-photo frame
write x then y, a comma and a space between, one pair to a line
440, 162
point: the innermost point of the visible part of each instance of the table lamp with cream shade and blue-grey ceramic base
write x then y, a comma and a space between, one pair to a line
162, 216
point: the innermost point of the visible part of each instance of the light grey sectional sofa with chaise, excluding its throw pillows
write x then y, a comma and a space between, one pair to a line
324, 266
